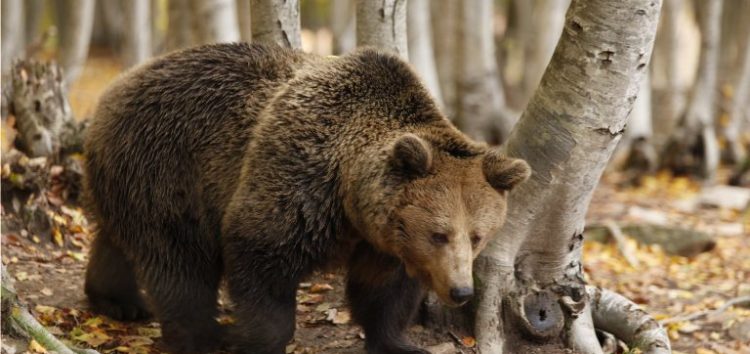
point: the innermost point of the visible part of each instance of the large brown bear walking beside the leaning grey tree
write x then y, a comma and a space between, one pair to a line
259, 165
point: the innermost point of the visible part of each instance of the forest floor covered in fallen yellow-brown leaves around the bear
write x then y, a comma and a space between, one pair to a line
48, 271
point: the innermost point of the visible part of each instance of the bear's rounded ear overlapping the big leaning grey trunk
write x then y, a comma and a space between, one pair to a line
504, 173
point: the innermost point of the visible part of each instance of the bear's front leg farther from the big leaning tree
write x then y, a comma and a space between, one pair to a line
265, 300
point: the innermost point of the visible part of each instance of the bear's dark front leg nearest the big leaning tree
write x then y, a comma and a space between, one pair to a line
384, 300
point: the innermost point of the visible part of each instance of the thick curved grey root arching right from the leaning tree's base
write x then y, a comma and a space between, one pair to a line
616, 314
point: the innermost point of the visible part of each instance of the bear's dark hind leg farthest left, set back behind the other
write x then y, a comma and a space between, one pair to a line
111, 285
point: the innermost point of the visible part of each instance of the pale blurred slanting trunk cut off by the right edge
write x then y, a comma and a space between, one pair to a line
739, 114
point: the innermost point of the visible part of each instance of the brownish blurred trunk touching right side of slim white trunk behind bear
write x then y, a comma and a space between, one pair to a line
445, 37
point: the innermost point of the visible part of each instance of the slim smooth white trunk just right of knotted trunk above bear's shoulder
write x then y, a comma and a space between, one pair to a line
421, 54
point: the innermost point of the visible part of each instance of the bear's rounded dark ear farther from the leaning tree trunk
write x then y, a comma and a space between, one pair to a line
411, 156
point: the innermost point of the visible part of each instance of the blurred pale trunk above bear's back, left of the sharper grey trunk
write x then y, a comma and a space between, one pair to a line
215, 21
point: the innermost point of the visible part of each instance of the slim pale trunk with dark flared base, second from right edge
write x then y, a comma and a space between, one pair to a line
693, 147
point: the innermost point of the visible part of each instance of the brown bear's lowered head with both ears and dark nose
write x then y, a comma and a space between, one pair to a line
443, 208
